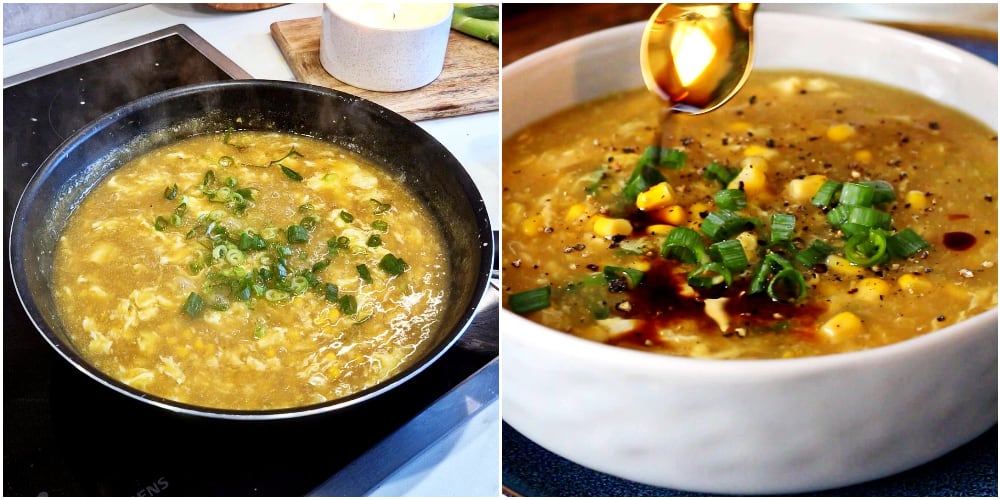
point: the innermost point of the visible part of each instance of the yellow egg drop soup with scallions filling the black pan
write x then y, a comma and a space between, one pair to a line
250, 270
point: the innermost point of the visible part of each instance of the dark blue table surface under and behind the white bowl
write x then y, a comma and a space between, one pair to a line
970, 470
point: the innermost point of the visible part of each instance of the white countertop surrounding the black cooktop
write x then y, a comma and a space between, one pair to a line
467, 461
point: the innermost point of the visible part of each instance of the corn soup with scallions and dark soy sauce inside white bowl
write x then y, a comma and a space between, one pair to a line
813, 214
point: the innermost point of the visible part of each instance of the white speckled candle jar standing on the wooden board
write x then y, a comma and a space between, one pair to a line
385, 47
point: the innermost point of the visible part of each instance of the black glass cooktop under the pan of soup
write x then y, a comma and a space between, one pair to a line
64, 434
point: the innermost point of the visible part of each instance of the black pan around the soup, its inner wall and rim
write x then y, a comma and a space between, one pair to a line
361, 126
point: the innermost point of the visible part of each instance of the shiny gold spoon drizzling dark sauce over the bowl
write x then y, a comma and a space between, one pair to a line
697, 56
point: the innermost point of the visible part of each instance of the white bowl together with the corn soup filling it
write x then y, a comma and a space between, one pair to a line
659, 270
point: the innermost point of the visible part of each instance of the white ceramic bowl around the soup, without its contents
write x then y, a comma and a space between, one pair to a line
751, 427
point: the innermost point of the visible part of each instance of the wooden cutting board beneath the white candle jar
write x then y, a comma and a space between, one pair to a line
469, 82
